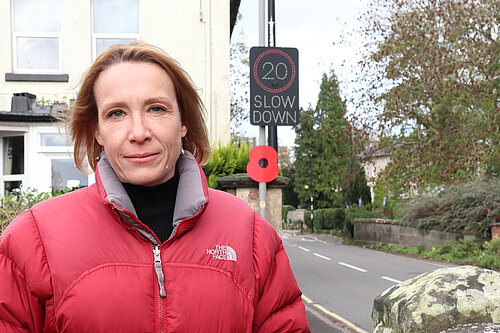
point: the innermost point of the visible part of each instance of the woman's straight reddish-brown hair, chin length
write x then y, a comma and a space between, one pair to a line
83, 116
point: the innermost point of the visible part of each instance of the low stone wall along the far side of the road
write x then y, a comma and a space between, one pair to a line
387, 231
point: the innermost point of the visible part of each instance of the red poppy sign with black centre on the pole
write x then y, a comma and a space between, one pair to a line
263, 165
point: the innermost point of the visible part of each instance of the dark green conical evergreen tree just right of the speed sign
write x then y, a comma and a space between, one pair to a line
330, 138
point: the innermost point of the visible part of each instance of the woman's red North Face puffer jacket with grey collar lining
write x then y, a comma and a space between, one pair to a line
83, 262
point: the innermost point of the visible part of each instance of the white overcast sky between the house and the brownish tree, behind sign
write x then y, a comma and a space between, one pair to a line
314, 27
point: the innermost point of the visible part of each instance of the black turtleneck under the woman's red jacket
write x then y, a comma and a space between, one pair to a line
155, 205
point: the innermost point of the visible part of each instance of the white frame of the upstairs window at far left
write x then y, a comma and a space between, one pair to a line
33, 34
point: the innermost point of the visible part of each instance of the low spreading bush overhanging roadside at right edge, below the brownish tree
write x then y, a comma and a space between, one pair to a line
470, 207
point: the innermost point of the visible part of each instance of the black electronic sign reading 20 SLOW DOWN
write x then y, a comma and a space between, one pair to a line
274, 86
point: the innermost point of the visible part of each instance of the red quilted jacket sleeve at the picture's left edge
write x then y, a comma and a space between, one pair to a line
23, 276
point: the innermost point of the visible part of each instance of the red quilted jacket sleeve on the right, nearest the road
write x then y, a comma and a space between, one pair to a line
278, 302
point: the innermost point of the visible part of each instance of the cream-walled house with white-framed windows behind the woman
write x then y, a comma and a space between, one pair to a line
48, 44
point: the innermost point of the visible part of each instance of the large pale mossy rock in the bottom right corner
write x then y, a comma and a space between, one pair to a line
439, 300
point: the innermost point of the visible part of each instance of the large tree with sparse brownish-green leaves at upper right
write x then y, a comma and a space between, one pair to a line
433, 69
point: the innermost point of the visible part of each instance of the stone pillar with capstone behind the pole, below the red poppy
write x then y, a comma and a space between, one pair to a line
242, 186
